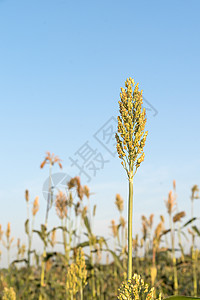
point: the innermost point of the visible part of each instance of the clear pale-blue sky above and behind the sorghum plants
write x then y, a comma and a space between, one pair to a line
62, 64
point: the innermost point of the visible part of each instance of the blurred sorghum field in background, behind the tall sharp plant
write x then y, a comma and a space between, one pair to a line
79, 272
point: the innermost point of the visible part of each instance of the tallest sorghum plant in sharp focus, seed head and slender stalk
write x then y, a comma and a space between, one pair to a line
131, 139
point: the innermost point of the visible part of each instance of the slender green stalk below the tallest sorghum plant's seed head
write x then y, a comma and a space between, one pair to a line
130, 220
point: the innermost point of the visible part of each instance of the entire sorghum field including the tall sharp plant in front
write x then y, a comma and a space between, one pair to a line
88, 267
